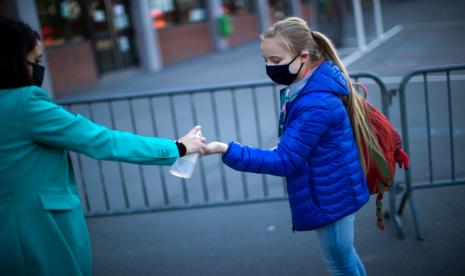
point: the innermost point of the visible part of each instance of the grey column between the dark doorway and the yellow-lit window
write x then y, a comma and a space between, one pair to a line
148, 45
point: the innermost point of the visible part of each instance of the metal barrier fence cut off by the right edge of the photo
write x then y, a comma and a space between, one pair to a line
442, 112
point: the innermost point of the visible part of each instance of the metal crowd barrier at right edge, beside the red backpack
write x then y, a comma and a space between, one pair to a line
443, 74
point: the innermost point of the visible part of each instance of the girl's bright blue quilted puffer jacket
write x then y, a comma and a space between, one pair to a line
317, 154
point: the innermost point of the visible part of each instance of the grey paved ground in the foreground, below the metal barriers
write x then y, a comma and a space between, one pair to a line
257, 240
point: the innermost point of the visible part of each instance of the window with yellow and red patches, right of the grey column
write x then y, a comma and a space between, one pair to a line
167, 13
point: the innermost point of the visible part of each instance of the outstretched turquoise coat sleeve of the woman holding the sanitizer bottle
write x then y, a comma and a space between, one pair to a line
51, 124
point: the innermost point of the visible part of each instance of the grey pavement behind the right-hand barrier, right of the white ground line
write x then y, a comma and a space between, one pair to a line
416, 45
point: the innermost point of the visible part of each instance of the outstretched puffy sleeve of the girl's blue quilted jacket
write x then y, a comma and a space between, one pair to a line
297, 142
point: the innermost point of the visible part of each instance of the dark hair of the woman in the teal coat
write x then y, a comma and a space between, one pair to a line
18, 39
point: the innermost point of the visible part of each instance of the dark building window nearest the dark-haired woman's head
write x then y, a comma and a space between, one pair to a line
61, 21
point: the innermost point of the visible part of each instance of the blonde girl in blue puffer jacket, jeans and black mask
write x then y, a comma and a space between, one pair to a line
317, 153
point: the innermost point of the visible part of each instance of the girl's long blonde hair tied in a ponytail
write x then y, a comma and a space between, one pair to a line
296, 36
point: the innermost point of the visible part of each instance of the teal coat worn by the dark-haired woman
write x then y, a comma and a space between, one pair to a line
42, 227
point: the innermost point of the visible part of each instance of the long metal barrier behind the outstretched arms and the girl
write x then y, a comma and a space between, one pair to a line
245, 112
